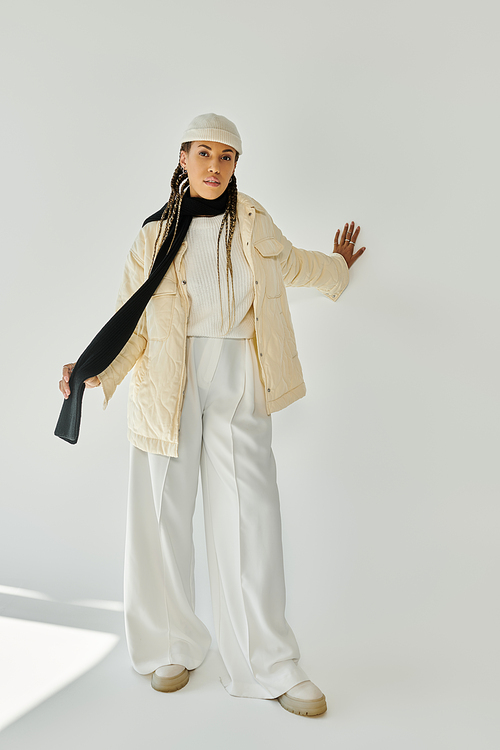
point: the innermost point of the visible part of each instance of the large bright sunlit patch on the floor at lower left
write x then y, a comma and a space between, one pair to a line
37, 659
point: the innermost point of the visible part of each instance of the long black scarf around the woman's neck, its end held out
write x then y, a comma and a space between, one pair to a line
111, 339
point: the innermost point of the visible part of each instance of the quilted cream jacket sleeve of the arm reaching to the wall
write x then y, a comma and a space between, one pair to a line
328, 273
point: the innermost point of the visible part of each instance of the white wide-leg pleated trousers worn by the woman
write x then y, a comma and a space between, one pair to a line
225, 429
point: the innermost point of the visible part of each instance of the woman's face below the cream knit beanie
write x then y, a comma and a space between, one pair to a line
210, 166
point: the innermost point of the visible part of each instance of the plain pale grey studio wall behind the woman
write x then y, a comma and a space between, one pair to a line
379, 112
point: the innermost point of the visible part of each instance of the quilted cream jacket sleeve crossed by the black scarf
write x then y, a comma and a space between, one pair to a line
133, 277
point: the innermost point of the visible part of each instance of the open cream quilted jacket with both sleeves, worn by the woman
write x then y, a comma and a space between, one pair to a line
157, 348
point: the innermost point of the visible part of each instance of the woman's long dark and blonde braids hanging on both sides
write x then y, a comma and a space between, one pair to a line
179, 184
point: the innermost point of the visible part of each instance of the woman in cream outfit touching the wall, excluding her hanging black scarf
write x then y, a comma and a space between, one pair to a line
214, 355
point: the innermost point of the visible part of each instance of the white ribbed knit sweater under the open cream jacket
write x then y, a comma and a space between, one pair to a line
200, 262
